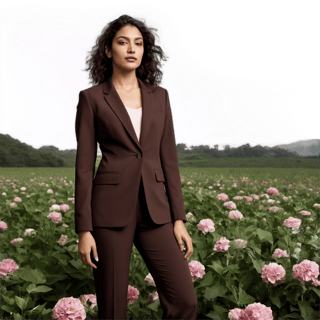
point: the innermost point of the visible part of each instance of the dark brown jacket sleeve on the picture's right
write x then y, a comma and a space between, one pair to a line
169, 162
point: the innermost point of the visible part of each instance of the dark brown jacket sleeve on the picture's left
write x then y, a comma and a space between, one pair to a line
85, 163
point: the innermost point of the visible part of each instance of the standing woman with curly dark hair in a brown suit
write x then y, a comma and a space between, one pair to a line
135, 196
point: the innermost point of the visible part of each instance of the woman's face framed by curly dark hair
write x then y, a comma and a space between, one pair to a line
128, 41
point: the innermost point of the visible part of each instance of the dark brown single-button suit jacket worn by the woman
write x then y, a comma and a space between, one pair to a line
108, 199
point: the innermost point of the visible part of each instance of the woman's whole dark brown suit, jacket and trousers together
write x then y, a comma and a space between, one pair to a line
126, 202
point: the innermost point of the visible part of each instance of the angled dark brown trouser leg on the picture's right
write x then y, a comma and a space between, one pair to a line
161, 253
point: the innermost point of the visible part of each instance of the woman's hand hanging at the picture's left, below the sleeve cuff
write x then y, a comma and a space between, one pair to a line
86, 243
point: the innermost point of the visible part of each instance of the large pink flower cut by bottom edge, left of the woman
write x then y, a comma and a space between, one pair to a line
69, 309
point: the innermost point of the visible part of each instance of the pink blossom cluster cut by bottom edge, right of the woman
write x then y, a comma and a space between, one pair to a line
254, 311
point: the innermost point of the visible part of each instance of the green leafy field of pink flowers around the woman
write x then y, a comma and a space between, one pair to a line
255, 236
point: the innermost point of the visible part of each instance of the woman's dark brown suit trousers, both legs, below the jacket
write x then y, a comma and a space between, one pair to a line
161, 253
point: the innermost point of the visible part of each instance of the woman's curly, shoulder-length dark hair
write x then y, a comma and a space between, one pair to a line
99, 66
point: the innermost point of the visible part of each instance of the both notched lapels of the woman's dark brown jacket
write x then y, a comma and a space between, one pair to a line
114, 101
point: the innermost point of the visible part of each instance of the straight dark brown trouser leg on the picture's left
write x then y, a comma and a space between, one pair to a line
111, 278
